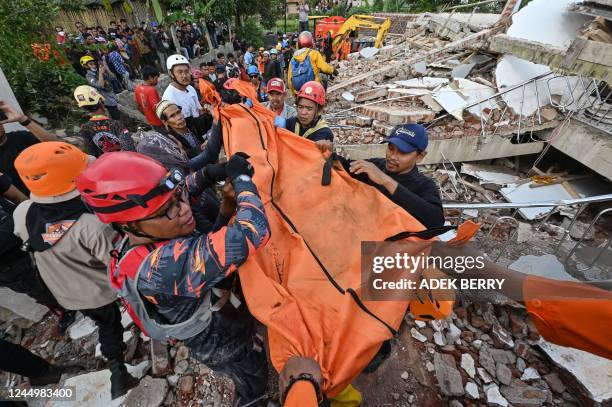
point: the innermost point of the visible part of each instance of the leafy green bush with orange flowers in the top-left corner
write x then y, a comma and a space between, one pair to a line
40, 86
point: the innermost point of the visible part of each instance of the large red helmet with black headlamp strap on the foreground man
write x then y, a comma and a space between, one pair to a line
125, 186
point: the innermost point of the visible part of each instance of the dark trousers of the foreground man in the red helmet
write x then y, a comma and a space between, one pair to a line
227, 348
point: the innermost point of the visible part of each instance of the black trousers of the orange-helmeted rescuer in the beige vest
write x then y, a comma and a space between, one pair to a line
110, 330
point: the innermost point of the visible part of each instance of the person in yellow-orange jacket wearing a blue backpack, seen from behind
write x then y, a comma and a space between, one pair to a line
306, 64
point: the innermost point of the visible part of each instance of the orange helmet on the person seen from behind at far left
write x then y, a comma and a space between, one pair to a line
50, 169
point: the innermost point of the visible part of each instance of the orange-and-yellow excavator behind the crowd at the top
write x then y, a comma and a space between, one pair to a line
341, 30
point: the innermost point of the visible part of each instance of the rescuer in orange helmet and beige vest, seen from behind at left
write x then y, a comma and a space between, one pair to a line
71, 246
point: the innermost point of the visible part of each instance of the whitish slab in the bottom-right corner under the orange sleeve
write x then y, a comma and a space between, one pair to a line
592, 371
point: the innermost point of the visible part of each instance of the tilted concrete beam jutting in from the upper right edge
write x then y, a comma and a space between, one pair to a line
583, 57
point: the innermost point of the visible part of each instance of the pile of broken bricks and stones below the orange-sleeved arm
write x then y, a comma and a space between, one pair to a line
492, 354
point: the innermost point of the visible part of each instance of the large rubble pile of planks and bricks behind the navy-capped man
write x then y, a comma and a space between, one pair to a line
448, 82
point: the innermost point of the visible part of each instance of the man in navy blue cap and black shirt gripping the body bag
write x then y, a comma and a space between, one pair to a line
398, 177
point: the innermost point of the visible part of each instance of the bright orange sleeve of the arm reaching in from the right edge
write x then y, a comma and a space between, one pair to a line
570, 314
